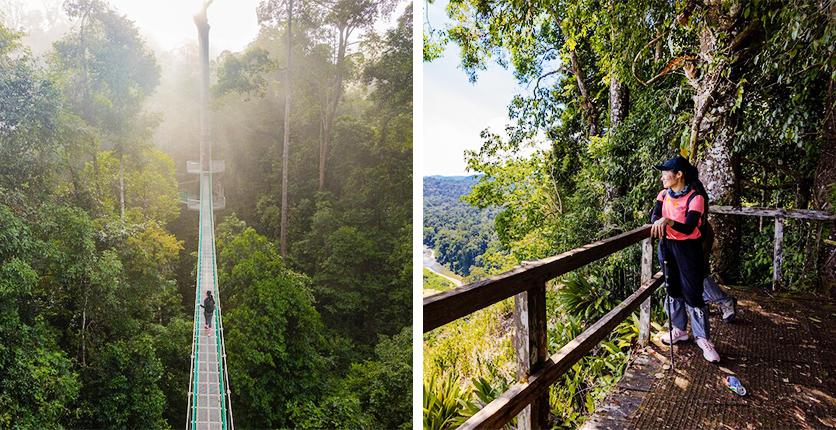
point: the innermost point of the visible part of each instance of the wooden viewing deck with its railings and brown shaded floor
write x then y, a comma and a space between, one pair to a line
782, 350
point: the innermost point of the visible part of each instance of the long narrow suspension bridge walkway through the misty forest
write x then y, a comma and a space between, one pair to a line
209, 403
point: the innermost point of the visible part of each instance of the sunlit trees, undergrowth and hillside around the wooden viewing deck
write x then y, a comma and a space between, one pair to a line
744, 89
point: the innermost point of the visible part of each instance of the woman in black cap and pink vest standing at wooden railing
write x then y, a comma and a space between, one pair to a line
676, 217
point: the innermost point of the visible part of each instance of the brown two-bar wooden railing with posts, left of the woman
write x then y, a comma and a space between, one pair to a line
536, 371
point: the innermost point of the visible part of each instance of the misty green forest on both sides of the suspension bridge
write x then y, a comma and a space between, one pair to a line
98, 251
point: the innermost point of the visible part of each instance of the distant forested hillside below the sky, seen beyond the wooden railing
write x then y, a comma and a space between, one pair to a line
458, 232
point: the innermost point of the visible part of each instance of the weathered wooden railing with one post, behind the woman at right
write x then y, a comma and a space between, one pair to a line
779, 214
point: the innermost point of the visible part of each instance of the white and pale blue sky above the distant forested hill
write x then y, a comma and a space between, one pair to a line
456, 111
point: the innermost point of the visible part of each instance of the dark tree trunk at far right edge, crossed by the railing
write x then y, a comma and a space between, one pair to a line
824, 184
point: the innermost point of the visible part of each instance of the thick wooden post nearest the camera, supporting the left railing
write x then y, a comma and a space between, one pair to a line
531, 344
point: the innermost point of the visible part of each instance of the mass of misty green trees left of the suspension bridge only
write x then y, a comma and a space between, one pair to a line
88, 294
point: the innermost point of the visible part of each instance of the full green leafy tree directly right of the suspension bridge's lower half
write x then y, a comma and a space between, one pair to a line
273, 334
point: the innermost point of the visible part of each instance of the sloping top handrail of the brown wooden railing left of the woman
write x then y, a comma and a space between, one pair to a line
445, 307
